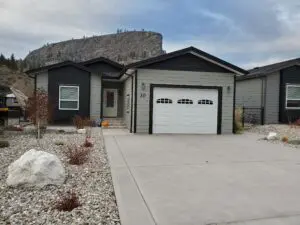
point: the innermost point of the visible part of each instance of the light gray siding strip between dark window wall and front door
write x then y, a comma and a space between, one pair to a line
95, 98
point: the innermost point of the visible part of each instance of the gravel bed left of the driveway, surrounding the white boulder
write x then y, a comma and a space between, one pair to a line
91, 181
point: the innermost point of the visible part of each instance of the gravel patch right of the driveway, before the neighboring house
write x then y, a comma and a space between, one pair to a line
283, 130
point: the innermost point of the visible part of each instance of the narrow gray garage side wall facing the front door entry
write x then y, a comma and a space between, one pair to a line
127, 101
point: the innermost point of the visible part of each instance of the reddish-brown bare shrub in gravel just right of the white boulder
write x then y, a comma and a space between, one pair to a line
77, 155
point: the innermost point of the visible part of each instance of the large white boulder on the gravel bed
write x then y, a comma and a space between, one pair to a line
36, 169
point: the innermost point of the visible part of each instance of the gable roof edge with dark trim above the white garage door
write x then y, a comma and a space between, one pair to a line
192, 50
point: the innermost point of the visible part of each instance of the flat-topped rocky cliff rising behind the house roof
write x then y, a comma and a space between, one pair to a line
123, 47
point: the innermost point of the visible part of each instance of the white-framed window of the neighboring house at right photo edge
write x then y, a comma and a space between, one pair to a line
292, 97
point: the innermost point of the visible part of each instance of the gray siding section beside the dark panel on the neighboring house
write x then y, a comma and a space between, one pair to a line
272, 98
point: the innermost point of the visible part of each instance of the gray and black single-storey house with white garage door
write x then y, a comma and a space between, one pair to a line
186, 91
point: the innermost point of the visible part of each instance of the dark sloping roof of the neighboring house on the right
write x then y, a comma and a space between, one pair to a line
269, 69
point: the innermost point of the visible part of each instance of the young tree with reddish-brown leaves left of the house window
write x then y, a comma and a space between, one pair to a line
39, 110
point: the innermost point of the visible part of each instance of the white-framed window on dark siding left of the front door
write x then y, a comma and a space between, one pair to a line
68, 97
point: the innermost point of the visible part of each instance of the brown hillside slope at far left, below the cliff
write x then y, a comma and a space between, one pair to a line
17, 80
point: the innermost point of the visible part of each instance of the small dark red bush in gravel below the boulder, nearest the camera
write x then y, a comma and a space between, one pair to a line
67, 201
